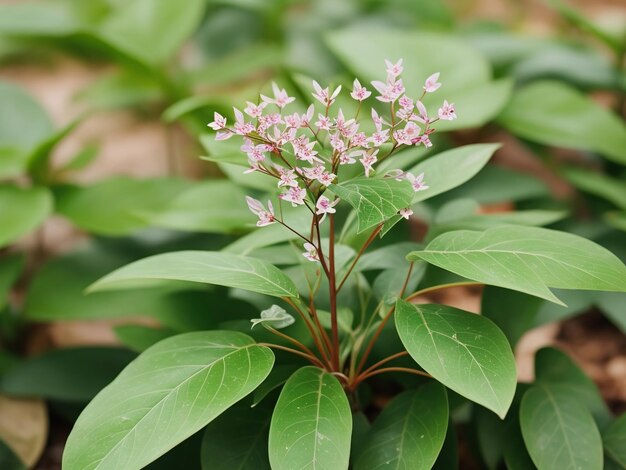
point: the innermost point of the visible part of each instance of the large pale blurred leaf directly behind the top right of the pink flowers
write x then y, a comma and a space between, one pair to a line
465, 73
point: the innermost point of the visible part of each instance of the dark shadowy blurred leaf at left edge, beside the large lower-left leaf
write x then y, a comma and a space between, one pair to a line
66, 374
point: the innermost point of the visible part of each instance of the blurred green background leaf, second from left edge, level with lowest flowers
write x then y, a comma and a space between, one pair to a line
115, 206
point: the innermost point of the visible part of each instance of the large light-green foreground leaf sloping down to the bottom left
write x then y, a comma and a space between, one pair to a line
168, 393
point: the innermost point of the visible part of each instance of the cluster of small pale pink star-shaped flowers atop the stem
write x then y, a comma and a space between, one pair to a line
305, 152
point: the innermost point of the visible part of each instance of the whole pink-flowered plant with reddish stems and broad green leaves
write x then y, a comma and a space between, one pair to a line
329, 338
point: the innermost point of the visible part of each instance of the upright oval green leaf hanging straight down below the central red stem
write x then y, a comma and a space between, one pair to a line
312, 423
